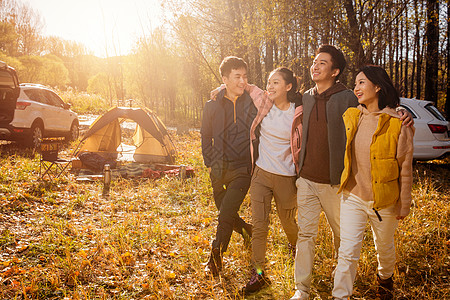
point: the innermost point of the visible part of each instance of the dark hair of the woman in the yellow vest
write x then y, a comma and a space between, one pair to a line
388, 94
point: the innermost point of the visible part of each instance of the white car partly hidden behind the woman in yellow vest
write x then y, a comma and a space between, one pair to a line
431, 139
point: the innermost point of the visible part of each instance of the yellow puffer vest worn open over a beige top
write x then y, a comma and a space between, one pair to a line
383, 162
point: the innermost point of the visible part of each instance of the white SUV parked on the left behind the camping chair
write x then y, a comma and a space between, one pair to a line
40, 112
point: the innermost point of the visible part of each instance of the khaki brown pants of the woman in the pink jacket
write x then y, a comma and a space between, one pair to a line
263, 188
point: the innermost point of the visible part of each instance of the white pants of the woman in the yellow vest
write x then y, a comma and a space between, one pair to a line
354, 215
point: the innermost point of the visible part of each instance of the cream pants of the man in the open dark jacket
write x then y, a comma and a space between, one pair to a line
312, 198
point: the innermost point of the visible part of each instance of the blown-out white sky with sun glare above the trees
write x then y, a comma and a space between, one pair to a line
105, 27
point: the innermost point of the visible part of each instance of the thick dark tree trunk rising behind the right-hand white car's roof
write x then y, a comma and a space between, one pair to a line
432, 59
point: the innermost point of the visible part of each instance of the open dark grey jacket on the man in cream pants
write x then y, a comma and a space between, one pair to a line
336, 106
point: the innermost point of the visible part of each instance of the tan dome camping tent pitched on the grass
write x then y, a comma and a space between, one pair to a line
151, 139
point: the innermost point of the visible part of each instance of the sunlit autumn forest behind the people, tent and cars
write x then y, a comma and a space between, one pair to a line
172, 68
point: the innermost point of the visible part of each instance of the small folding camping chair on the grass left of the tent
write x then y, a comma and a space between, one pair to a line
50, 164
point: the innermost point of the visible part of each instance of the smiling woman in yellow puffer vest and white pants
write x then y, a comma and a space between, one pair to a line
376, 181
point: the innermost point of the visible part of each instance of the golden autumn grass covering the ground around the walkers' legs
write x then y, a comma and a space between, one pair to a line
151, 238
